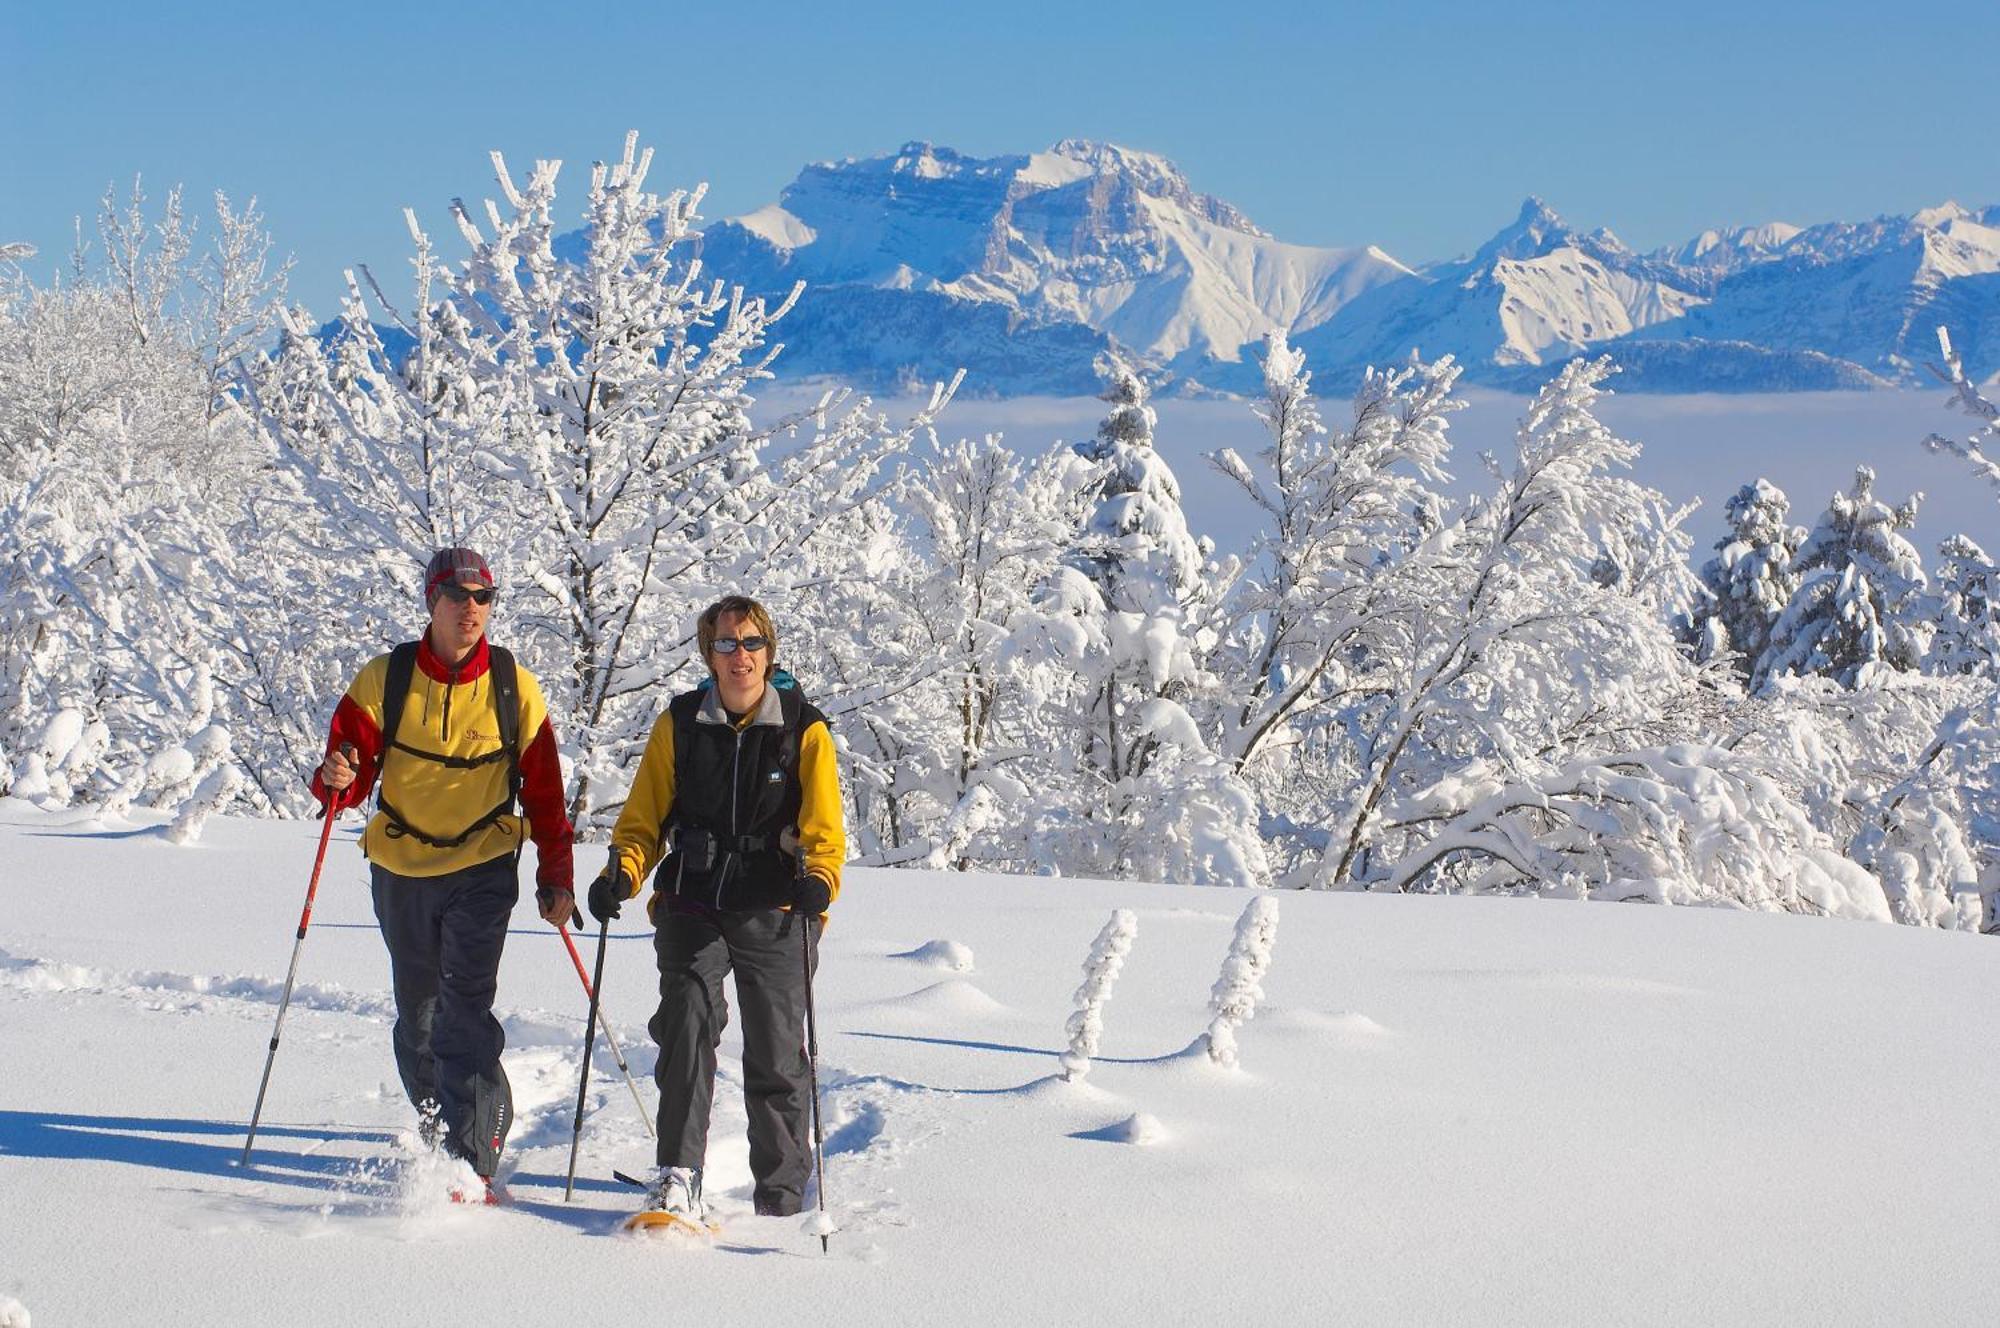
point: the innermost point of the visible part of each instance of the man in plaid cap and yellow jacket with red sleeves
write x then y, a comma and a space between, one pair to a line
457, 735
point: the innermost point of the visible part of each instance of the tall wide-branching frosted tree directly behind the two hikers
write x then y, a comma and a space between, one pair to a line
579, 407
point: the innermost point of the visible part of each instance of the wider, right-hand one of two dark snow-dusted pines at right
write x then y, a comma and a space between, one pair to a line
1859, 605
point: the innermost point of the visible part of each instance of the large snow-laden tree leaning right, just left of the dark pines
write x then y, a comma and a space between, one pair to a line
1535, 631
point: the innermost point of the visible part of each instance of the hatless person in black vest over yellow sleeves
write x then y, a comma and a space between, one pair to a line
737, 807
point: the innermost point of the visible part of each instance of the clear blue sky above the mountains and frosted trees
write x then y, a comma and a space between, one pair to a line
1415, 127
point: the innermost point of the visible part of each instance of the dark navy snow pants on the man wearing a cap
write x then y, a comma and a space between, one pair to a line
445, 937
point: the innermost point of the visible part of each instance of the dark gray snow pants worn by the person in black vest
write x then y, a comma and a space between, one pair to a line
767, 953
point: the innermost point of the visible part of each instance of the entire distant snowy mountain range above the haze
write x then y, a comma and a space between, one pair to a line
1029, 269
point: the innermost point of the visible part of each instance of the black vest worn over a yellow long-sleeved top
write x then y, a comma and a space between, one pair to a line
733, 835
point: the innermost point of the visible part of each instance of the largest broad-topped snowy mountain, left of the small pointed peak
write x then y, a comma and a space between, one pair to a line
1089, 243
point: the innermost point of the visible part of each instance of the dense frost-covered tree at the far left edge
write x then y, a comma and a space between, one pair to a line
121, 479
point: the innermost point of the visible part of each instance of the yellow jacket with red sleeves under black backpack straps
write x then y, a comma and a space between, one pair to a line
451, 713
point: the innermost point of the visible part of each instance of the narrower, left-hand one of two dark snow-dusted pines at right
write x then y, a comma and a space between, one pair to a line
1751, 579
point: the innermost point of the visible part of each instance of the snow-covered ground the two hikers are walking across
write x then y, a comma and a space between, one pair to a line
1447, 1111
